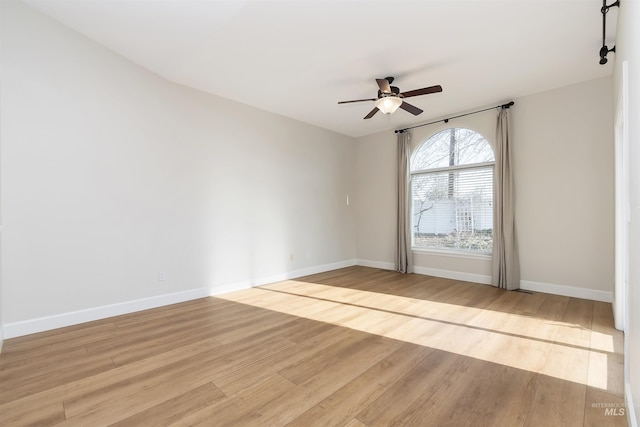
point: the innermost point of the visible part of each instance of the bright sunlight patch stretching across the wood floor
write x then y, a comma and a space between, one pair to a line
562, 350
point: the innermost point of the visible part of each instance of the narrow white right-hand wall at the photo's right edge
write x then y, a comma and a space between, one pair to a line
628, 49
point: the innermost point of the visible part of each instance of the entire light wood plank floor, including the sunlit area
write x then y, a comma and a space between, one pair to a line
351, 347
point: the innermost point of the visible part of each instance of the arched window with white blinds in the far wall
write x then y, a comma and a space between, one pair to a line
452, 192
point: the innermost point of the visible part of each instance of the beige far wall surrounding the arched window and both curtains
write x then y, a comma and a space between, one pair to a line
563, 155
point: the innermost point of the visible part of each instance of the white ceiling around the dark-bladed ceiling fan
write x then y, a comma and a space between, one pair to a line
299, 58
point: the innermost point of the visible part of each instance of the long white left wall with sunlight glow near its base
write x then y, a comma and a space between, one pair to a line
111, 174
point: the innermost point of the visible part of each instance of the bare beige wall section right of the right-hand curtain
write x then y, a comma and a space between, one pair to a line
564, 163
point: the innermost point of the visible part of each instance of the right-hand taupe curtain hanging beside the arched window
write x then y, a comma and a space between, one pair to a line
506, 267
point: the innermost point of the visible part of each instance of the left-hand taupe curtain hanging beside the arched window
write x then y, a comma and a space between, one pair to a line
404, 256
